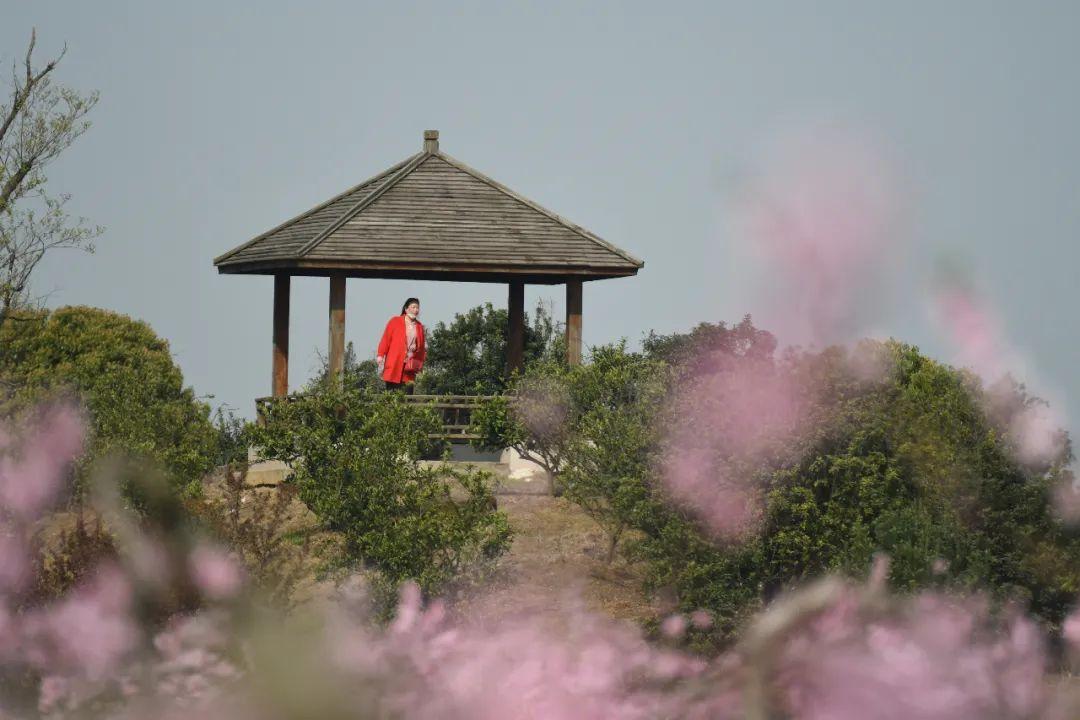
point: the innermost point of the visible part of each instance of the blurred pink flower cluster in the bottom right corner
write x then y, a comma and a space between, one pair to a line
937, 661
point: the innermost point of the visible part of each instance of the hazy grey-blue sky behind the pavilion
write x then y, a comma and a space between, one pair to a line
639, 121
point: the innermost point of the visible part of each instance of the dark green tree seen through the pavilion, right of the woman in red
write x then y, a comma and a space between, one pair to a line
469, 356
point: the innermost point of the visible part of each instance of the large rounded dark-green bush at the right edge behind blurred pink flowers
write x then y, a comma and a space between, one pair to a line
909, 466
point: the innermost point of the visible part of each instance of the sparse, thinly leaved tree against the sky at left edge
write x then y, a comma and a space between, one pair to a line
39, 123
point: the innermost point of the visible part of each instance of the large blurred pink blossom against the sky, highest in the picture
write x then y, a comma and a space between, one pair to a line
821, 212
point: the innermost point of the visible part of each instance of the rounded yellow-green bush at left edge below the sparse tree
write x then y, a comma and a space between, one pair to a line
125, 376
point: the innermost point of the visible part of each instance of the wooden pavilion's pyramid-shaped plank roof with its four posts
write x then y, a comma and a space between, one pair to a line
429, 218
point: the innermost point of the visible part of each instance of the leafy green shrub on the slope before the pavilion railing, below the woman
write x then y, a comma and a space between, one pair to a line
356, 459
